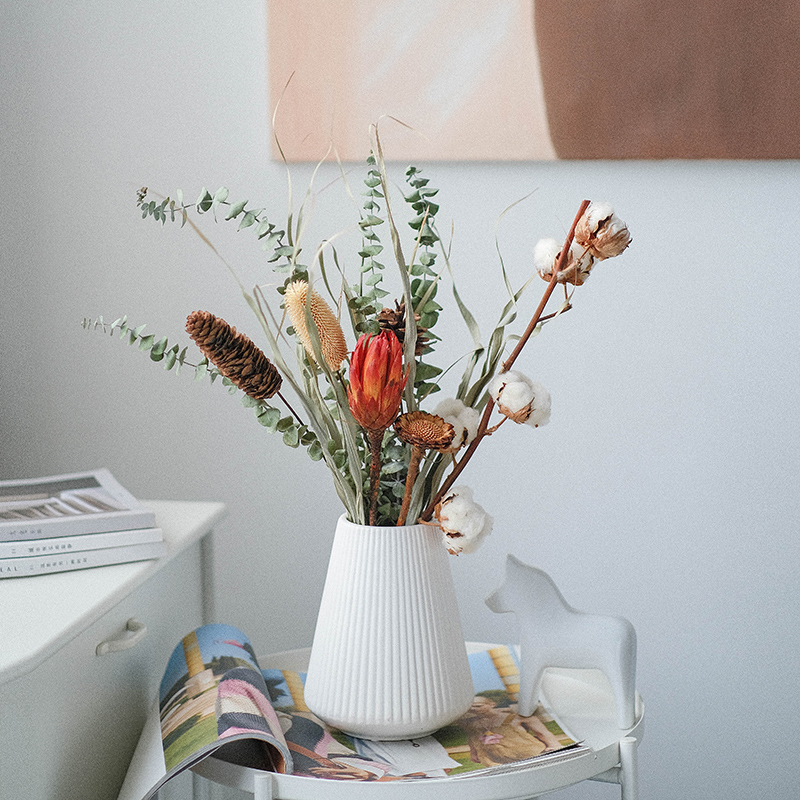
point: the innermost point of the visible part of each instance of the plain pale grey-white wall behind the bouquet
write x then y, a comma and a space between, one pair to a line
665, 487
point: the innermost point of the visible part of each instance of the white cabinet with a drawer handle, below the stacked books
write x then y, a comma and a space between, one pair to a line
70, 719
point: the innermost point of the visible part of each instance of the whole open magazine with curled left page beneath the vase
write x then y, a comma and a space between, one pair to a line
214, 700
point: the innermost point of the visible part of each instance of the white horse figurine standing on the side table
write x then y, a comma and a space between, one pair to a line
553, 634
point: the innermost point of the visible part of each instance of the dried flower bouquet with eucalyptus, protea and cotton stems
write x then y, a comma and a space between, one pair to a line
361, 412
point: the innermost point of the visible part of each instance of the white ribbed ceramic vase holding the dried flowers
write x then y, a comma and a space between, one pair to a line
388, 659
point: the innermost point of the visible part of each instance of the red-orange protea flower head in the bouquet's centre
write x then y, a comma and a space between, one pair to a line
376, 380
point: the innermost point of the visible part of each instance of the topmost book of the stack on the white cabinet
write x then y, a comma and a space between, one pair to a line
65, 505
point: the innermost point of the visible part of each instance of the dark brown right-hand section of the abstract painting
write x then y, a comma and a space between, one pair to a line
686, 79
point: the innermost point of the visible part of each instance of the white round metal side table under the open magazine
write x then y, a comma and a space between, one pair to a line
581, 699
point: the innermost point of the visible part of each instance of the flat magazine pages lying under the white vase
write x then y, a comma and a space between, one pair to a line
491, 736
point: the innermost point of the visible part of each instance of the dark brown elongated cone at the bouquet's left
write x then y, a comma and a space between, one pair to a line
234, 355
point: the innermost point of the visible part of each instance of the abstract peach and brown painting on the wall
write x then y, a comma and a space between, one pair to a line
536, 79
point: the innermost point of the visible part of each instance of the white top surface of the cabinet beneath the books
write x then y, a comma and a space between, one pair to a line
39, 614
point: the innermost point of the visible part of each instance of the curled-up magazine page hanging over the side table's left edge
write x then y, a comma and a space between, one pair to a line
212, 700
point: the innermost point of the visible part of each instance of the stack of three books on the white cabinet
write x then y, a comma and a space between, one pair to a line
75, 521
